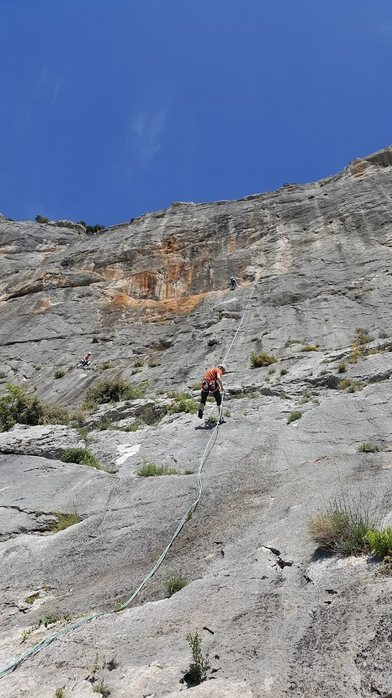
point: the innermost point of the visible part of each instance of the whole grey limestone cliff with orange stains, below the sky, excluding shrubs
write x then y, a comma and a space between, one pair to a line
150, 300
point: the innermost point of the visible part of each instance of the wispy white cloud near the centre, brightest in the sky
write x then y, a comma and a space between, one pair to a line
146, 133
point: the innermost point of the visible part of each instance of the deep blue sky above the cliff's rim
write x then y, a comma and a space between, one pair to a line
112, 108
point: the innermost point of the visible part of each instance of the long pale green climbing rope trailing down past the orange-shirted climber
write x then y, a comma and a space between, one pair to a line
209, 446
